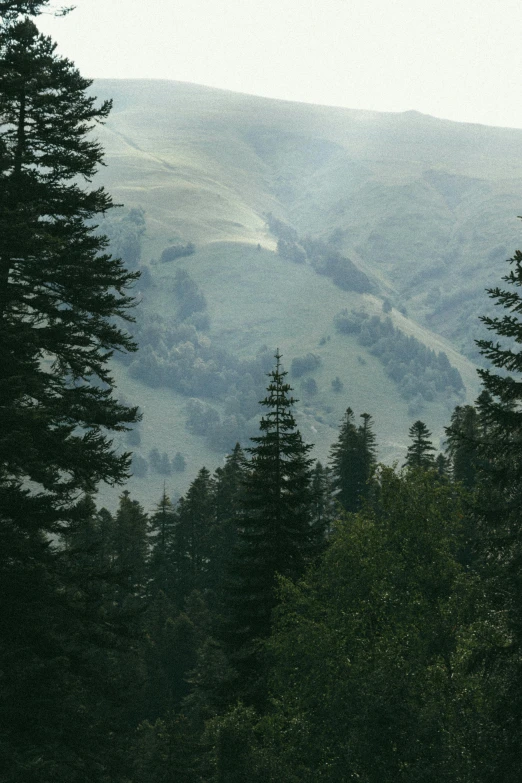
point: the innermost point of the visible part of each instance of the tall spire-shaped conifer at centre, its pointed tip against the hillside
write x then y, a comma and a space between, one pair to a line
276, 536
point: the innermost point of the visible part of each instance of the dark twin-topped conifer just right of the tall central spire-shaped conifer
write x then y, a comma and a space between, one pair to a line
352, 460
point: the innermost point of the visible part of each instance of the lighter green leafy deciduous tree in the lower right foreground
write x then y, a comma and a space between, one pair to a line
372, 651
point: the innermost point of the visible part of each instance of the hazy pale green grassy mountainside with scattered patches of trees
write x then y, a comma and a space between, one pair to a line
305, 222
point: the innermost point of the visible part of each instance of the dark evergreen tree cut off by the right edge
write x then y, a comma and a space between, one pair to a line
498, 511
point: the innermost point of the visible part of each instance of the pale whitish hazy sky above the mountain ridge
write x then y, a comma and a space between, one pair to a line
458, 59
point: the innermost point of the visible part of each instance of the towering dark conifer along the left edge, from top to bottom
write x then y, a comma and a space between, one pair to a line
60, 299
